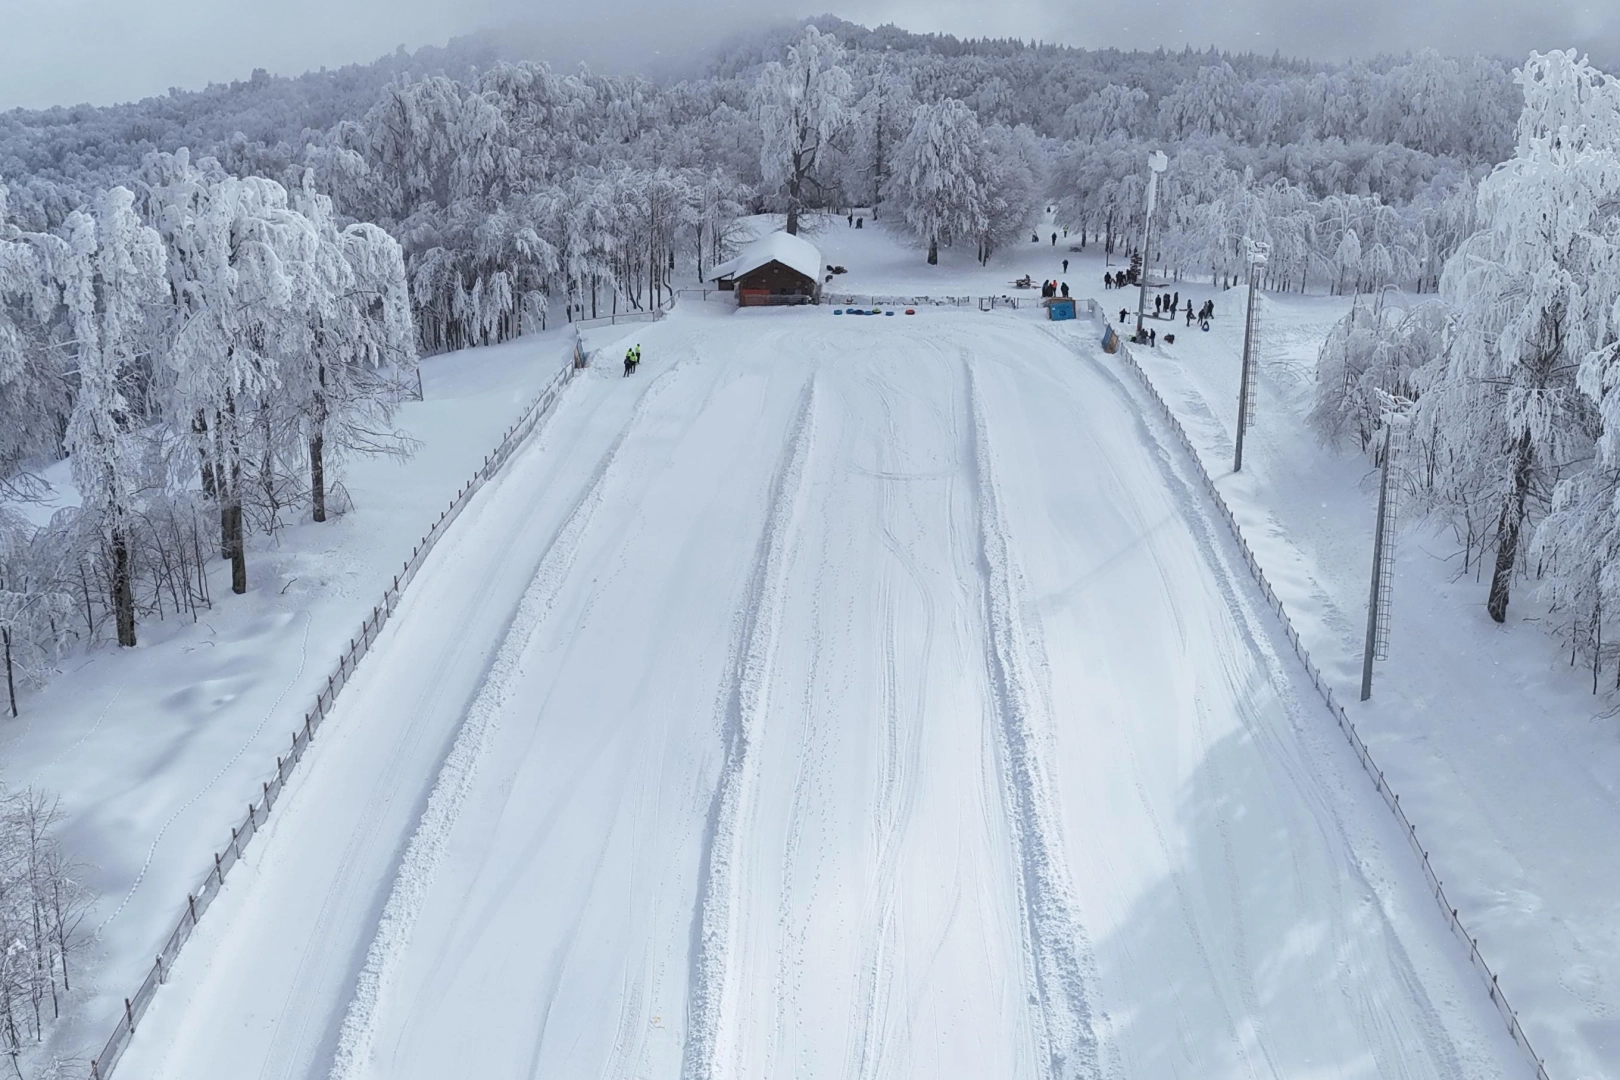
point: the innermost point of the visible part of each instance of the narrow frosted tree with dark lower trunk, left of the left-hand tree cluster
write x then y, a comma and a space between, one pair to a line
114, 279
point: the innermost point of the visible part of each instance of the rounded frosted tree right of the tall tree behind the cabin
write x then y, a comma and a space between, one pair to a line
939, 176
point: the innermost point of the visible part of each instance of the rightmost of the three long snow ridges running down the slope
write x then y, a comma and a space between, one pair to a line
1054, 935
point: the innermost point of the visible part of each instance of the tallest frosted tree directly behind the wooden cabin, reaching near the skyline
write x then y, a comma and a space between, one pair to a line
803, 104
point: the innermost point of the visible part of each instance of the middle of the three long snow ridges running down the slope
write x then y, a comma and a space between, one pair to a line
714, 1008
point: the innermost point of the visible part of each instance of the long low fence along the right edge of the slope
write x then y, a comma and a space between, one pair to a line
1347, 726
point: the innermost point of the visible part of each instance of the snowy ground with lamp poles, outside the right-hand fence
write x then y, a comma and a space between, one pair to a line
1503, 757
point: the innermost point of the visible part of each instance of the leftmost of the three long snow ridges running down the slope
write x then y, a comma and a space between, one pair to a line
430, 841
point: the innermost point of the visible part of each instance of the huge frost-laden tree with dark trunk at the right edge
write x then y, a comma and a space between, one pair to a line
1535, 296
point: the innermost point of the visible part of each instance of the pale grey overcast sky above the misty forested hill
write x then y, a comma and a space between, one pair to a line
103, 51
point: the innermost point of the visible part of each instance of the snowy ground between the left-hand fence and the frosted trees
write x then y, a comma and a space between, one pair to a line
158, 750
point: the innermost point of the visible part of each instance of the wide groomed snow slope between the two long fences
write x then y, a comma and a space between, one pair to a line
835, 699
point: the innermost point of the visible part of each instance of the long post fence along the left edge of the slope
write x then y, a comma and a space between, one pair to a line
304, 736
